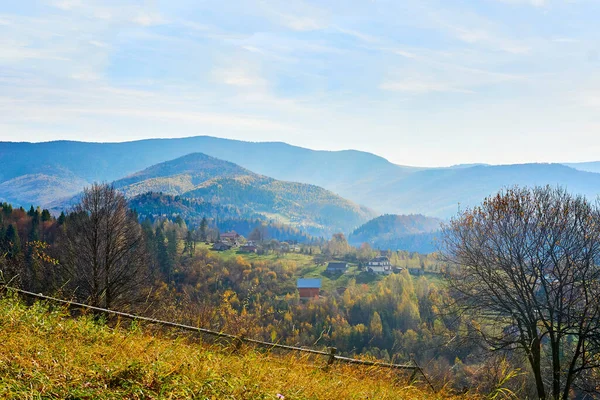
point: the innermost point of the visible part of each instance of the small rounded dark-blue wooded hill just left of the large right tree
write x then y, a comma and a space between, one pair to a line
398, 232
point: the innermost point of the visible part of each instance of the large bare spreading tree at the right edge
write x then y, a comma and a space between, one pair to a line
524, 267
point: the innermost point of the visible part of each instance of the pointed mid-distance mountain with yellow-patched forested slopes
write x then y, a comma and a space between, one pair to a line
214, 181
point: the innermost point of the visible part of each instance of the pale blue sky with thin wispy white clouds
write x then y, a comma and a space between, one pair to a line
419, 82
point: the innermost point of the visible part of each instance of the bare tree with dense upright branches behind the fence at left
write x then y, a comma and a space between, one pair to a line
103, 249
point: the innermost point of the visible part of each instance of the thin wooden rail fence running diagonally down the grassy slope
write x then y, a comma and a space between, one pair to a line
331, 353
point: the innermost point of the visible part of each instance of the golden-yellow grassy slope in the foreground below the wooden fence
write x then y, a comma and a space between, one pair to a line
46, 354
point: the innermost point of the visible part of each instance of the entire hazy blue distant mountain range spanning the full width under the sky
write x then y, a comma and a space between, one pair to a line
38, 173
